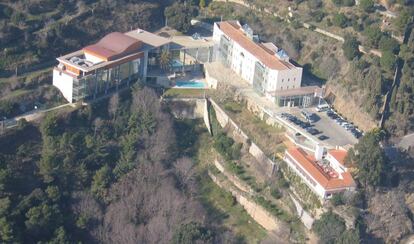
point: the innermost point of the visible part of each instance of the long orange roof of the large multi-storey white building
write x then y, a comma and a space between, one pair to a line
263, 52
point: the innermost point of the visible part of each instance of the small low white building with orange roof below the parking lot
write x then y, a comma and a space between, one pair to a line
326, 174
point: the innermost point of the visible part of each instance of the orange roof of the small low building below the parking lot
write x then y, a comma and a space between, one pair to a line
328, 180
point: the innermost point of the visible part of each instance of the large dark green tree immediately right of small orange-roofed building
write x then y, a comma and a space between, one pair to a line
369, 158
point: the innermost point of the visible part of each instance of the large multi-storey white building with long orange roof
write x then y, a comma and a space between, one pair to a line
263, 65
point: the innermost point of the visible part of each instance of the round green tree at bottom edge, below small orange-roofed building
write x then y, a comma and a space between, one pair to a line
329, 227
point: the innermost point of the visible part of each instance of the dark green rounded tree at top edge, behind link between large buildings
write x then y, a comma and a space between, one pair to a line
179, 15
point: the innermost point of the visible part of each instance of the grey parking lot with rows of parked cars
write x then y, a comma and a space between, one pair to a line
324, 128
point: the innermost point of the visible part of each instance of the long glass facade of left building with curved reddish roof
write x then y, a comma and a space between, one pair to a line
104, 80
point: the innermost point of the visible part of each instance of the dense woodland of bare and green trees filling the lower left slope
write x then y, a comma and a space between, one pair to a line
108, 173
